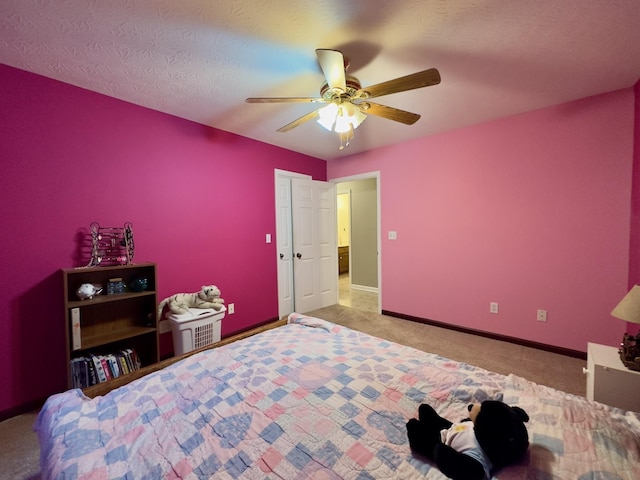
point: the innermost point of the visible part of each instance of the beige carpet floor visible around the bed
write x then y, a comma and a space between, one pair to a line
19, 451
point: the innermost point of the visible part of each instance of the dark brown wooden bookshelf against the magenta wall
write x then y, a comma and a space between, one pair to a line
110, 324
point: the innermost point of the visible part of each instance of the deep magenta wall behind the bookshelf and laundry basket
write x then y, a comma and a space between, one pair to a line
200, 201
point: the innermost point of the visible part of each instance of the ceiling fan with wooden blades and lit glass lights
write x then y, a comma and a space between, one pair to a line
347, 102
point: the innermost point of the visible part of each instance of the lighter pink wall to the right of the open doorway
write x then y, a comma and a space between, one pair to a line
531, 212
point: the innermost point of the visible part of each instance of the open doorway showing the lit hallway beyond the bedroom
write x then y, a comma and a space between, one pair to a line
358, 242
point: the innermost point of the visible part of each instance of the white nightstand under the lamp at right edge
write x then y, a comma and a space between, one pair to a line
609, 381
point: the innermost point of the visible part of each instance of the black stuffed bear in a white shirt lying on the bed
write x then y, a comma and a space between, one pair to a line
493, 437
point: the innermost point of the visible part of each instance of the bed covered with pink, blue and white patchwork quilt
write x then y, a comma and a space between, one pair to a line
313, 399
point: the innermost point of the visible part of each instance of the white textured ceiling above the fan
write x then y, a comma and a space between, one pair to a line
200, 59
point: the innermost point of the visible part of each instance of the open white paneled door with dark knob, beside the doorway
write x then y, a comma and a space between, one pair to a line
315, 262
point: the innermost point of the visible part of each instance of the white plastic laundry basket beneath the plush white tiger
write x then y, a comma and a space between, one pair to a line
198, 328
